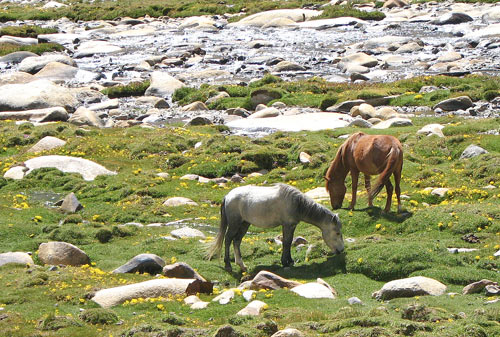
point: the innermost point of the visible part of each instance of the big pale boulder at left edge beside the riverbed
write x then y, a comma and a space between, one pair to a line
37, 94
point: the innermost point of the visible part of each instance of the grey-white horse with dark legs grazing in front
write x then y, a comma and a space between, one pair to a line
268, 207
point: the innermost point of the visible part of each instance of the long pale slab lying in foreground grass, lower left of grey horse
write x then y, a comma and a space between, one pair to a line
149, 289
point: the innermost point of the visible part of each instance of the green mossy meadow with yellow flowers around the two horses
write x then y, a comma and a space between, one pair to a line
387, 246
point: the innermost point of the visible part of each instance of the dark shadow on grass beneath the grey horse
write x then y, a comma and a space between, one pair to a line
334, 264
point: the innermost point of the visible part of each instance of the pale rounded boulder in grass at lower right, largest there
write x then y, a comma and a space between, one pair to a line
410, 287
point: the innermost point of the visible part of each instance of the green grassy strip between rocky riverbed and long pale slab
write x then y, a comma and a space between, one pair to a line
316, 92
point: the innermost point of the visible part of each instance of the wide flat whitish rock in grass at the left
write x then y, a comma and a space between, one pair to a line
88, 169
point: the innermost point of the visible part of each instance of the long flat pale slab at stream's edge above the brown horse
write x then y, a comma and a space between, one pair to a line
307, 121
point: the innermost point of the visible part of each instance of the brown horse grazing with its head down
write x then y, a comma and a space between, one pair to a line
372, 155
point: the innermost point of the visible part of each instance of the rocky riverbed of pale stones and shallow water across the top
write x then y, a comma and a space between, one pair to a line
420, 39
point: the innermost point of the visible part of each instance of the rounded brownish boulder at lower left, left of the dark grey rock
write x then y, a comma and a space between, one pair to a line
56, 252
